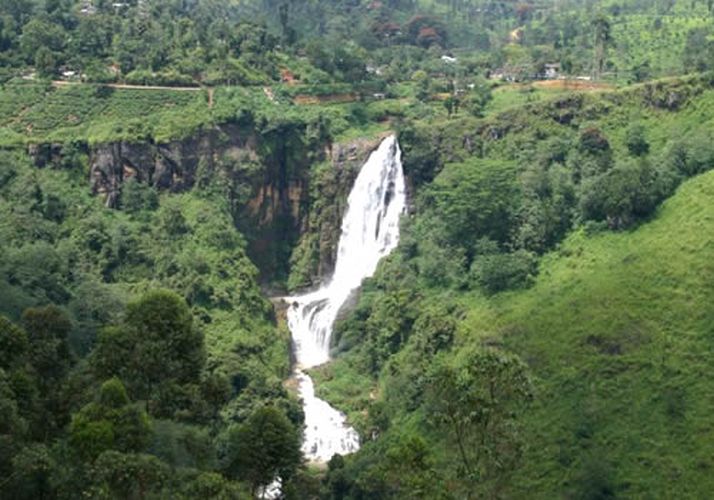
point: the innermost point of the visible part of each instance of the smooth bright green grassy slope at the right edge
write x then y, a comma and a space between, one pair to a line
617, 331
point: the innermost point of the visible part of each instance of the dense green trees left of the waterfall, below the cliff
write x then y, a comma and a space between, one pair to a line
60, 245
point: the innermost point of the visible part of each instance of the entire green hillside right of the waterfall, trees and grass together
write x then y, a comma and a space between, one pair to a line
611, 319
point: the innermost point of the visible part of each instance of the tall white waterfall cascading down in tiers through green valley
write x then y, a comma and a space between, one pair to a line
370, 230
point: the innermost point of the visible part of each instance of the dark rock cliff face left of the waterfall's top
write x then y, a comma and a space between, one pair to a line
287, 195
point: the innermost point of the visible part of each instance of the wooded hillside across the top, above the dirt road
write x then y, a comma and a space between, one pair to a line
261, 43
